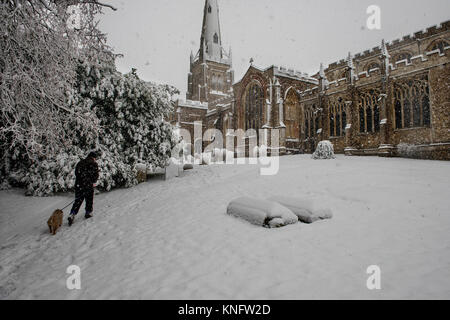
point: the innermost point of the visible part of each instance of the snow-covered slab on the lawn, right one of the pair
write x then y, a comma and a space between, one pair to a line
306, 210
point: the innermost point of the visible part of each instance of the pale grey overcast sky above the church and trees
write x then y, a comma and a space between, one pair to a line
156, 36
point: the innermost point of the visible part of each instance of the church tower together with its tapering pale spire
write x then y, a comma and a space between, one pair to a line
211, 76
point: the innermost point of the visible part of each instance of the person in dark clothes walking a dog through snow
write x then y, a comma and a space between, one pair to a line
86, 173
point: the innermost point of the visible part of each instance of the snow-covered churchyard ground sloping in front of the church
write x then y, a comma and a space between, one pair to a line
174, 240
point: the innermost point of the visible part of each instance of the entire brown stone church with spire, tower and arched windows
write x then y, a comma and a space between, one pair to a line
391, 100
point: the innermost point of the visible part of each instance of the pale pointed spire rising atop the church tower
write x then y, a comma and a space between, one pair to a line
211, 39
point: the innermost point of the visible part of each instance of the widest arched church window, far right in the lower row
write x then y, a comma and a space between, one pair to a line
412, 103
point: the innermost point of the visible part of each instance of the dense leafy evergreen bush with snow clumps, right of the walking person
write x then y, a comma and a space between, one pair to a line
132, 125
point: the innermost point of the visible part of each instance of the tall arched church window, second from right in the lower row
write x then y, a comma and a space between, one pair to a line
369, 112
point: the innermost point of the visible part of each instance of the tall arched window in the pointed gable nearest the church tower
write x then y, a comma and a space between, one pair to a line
254, 100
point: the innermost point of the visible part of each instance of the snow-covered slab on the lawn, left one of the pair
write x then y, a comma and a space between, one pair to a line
261, 212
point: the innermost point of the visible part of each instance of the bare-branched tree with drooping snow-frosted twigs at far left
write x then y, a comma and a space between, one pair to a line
38, 58
